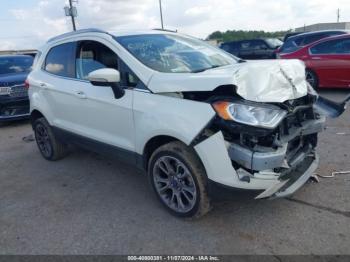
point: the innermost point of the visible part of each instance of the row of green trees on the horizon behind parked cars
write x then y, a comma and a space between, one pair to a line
235, 35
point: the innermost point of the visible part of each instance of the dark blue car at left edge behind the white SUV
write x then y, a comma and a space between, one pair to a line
14, 102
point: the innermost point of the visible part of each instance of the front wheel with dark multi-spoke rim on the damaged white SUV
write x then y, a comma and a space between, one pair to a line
179, 180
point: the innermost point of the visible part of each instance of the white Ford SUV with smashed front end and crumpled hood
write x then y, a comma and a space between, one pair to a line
188, 113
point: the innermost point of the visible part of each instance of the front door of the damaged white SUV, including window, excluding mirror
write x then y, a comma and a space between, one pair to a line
101, 116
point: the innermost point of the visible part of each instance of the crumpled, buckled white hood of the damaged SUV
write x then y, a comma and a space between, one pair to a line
259, 81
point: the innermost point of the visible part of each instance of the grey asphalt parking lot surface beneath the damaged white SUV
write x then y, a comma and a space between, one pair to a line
89, 204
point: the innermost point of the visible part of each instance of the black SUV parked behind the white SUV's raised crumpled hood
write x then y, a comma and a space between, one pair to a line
253, 49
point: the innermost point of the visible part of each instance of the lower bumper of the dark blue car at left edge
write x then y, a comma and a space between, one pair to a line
13, 109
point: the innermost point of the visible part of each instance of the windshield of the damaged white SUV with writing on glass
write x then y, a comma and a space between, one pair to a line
174, 54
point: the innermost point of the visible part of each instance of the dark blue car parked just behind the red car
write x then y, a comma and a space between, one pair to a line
293, 43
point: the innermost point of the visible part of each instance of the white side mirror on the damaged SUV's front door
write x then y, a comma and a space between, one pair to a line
107, 77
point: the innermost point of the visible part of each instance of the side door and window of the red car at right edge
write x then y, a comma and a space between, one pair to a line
331, 62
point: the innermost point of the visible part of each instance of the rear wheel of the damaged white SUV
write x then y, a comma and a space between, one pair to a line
49, 146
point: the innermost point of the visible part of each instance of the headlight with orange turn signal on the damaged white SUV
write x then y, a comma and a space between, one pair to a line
266, 117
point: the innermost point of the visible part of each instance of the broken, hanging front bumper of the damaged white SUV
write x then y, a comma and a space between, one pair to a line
258, 171
